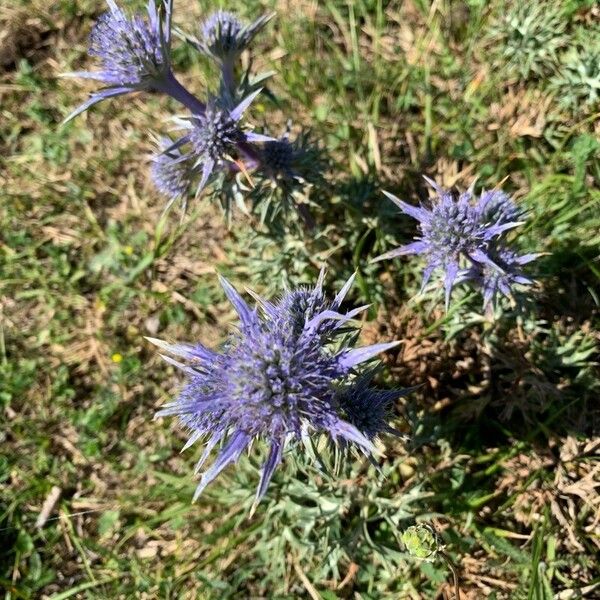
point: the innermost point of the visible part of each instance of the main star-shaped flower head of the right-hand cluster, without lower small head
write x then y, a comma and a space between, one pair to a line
453, 232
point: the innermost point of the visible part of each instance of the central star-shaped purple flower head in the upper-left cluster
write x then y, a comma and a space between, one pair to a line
215, 136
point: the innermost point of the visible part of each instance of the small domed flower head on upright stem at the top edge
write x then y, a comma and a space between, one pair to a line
224, 37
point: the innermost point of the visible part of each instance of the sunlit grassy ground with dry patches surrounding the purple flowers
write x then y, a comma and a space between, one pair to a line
502, 457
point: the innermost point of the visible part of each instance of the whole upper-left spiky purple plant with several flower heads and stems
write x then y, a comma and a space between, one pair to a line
216, 147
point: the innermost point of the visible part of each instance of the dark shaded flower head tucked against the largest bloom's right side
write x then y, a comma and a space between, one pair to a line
369, 409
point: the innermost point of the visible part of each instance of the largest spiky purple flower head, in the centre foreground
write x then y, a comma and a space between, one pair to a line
275, 379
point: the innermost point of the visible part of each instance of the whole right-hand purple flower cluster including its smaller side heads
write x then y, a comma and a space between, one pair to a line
462, 236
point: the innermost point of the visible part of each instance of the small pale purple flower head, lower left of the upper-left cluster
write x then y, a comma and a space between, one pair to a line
171, 171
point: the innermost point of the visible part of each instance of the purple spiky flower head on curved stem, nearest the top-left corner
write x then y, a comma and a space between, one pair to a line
133, 52
